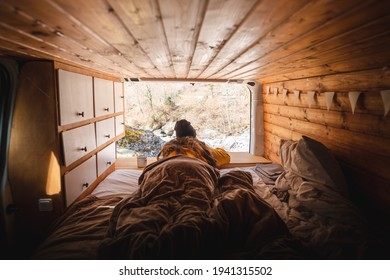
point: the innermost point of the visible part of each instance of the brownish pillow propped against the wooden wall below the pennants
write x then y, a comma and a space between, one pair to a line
312, 161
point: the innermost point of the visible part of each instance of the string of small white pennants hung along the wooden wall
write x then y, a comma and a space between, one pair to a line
352, 95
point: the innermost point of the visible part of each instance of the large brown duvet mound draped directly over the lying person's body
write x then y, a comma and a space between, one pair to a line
167, 217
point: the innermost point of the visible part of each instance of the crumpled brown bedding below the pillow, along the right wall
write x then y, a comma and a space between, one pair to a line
326, 221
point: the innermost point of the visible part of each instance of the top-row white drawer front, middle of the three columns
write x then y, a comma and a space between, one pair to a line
104, 97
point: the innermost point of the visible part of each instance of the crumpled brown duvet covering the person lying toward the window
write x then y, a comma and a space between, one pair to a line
185, 210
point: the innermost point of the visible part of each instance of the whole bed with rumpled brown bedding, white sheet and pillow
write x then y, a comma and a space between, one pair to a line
182, 208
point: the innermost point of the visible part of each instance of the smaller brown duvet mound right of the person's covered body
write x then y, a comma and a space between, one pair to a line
251, 225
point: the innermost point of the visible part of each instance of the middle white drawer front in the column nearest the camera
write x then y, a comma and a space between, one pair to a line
78, 142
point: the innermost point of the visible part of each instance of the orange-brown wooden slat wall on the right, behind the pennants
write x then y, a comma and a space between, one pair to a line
360, 141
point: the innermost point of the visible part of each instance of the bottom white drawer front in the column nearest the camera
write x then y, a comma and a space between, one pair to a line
77, 180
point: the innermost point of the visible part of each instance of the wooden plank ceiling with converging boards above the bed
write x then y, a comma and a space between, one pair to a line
264, 40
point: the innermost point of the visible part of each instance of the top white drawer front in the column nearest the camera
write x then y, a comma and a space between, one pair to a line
75, 97
